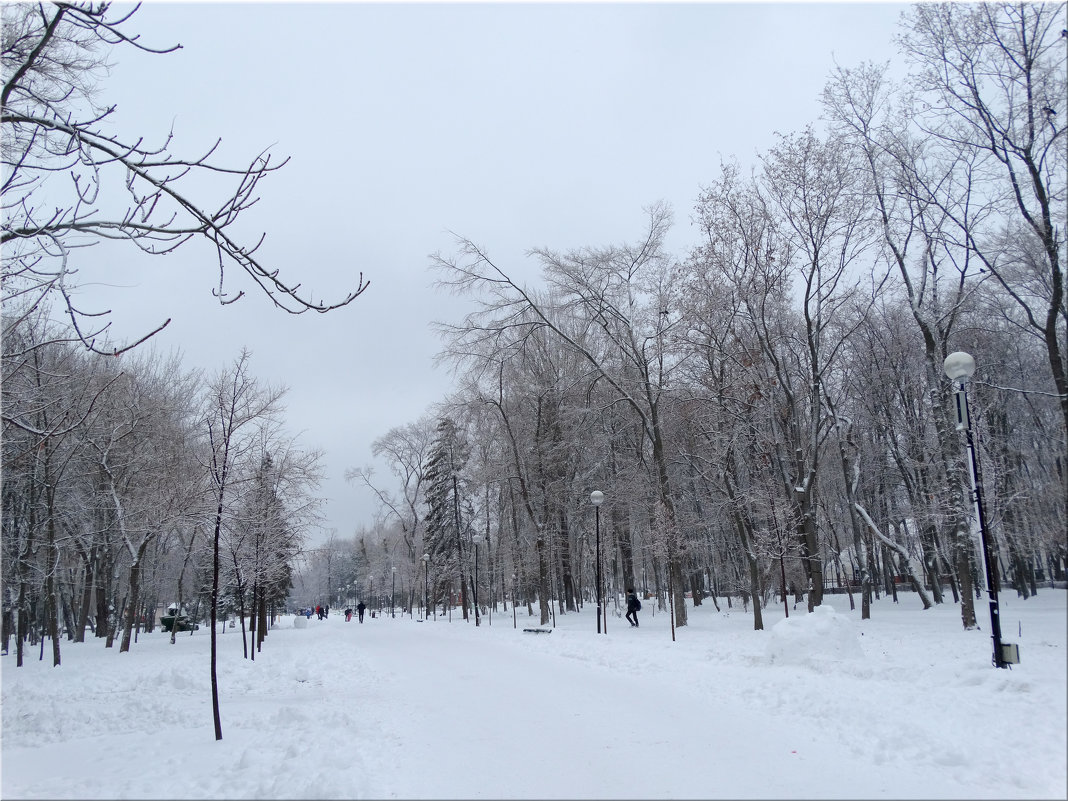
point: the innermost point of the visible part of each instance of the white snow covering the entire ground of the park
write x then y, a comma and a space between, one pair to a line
906, 705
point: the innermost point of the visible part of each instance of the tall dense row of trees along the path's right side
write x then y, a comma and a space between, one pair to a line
771, 413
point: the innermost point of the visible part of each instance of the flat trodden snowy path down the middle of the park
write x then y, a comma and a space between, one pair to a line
568, 728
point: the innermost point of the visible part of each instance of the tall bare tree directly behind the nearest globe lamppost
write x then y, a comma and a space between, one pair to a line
903, 178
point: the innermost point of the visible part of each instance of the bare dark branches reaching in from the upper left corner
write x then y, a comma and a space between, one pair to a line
56, 130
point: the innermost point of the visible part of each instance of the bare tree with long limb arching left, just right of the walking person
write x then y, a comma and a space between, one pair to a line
611, 307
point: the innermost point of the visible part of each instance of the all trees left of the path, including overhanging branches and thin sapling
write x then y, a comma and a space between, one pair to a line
128, 481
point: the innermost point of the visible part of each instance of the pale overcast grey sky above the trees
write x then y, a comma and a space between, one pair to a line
519, 125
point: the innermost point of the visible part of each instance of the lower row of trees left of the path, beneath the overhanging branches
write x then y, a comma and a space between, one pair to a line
131, 484
